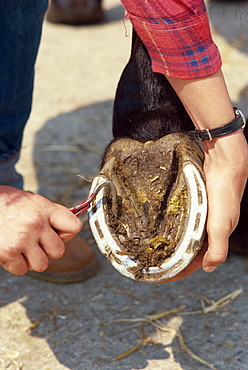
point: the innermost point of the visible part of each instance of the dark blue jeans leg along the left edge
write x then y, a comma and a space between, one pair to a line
20, 32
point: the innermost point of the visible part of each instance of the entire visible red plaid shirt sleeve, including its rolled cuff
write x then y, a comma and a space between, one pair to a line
177, 36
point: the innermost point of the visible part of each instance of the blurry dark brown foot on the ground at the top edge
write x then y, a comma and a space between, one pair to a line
75, 12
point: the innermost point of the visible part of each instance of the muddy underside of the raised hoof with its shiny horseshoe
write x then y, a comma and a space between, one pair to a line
150, 223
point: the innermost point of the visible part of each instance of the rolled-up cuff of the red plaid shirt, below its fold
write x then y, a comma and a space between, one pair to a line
179, 49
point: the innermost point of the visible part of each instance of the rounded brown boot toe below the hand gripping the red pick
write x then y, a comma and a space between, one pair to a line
77, 264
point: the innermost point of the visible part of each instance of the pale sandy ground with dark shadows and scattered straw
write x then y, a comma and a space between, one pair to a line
45, 326
